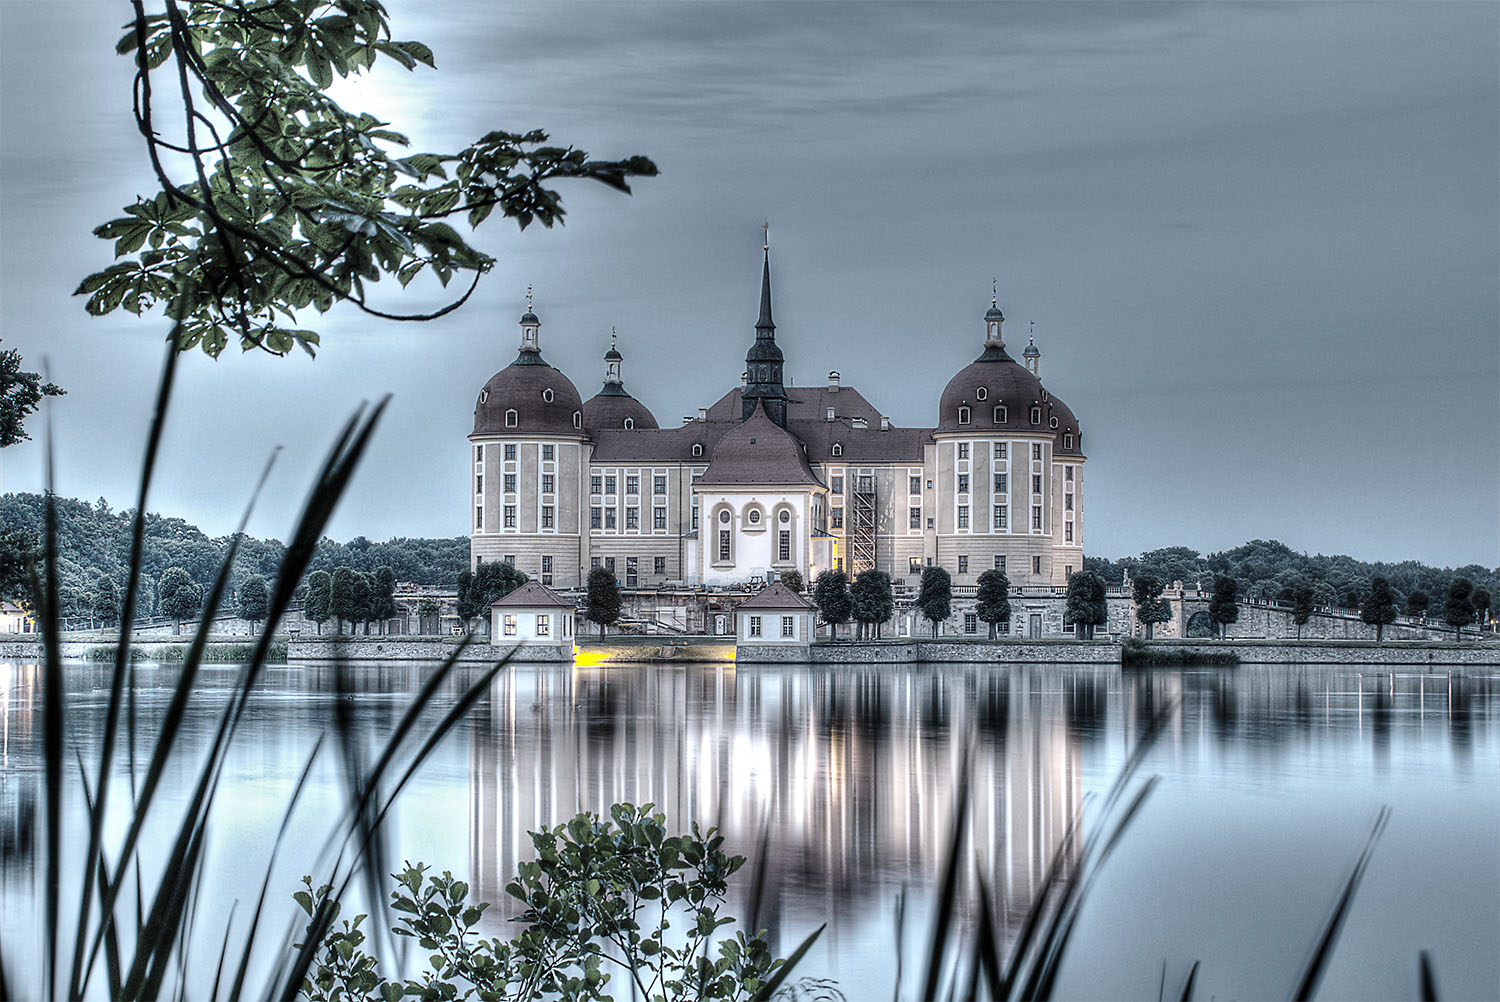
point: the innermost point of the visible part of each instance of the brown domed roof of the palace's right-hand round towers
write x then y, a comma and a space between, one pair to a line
1007, 383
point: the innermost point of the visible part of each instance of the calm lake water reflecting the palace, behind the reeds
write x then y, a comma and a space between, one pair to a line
1270, 782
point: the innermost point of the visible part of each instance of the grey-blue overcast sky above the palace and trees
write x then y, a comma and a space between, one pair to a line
1261, 245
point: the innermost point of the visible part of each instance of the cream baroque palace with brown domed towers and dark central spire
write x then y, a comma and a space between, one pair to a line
773, 479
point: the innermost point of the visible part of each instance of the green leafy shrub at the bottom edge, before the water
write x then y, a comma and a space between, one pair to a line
604, 899
